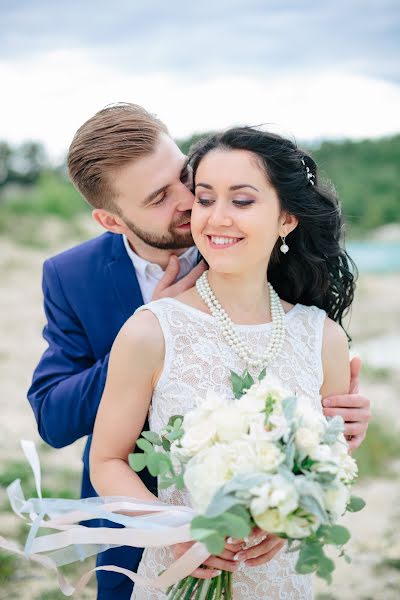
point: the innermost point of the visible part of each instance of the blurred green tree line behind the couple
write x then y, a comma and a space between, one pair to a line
365, 174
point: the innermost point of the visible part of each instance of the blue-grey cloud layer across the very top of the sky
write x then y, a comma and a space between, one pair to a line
212, 38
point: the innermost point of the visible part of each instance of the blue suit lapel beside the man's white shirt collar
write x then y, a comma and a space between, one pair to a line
123, 277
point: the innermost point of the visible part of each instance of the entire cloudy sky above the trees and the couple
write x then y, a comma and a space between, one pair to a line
312, 70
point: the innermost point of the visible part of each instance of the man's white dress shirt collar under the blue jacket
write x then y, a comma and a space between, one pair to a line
149, 274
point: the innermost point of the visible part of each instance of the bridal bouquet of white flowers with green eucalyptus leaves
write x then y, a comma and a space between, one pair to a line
268, 460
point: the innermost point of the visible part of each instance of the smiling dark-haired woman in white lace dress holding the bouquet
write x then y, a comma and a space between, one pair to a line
263, 222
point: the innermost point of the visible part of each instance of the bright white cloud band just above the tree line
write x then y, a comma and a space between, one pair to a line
50, 96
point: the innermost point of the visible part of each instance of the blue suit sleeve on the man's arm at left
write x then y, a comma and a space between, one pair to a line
68, 382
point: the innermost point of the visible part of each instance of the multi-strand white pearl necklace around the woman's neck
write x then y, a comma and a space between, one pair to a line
228, 327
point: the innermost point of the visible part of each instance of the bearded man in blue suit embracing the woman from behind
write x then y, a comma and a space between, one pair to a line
131, 172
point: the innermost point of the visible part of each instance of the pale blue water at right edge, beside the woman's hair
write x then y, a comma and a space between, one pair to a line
375, 257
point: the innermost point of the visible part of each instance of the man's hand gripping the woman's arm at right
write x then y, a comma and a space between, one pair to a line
353, 407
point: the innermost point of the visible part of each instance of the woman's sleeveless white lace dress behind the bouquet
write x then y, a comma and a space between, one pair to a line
197, 358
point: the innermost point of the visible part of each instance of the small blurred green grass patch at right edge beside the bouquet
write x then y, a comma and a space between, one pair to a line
380, 447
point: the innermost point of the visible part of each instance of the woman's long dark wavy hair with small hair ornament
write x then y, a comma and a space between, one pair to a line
317, 269
